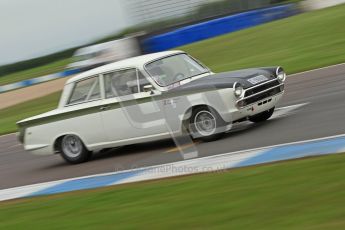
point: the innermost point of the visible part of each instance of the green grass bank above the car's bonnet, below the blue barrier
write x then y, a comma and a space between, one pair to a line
298, 43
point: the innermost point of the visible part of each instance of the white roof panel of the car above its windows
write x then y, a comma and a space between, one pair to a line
137, 62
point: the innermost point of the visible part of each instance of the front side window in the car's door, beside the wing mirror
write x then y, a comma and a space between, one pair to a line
124, 82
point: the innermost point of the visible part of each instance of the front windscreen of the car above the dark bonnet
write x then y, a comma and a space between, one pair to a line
173, 69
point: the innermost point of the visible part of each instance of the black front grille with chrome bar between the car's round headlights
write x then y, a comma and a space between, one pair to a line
260, 92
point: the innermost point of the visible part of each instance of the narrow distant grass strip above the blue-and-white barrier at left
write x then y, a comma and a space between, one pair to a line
34, 72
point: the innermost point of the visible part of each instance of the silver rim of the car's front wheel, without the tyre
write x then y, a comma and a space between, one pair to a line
205, 123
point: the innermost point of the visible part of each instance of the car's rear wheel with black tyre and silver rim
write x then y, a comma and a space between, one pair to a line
73, 150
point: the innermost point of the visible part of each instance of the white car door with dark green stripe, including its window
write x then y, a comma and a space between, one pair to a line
129, 113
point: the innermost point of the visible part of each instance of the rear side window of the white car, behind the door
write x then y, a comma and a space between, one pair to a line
85, 90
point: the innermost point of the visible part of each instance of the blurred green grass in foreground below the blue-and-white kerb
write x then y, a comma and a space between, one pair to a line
303, 194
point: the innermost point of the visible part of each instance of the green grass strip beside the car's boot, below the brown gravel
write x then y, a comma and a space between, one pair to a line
9, 116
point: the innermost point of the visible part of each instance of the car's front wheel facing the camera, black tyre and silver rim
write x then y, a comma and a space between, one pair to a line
206, 124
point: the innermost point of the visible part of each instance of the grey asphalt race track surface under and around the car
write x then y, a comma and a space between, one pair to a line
323, 90
